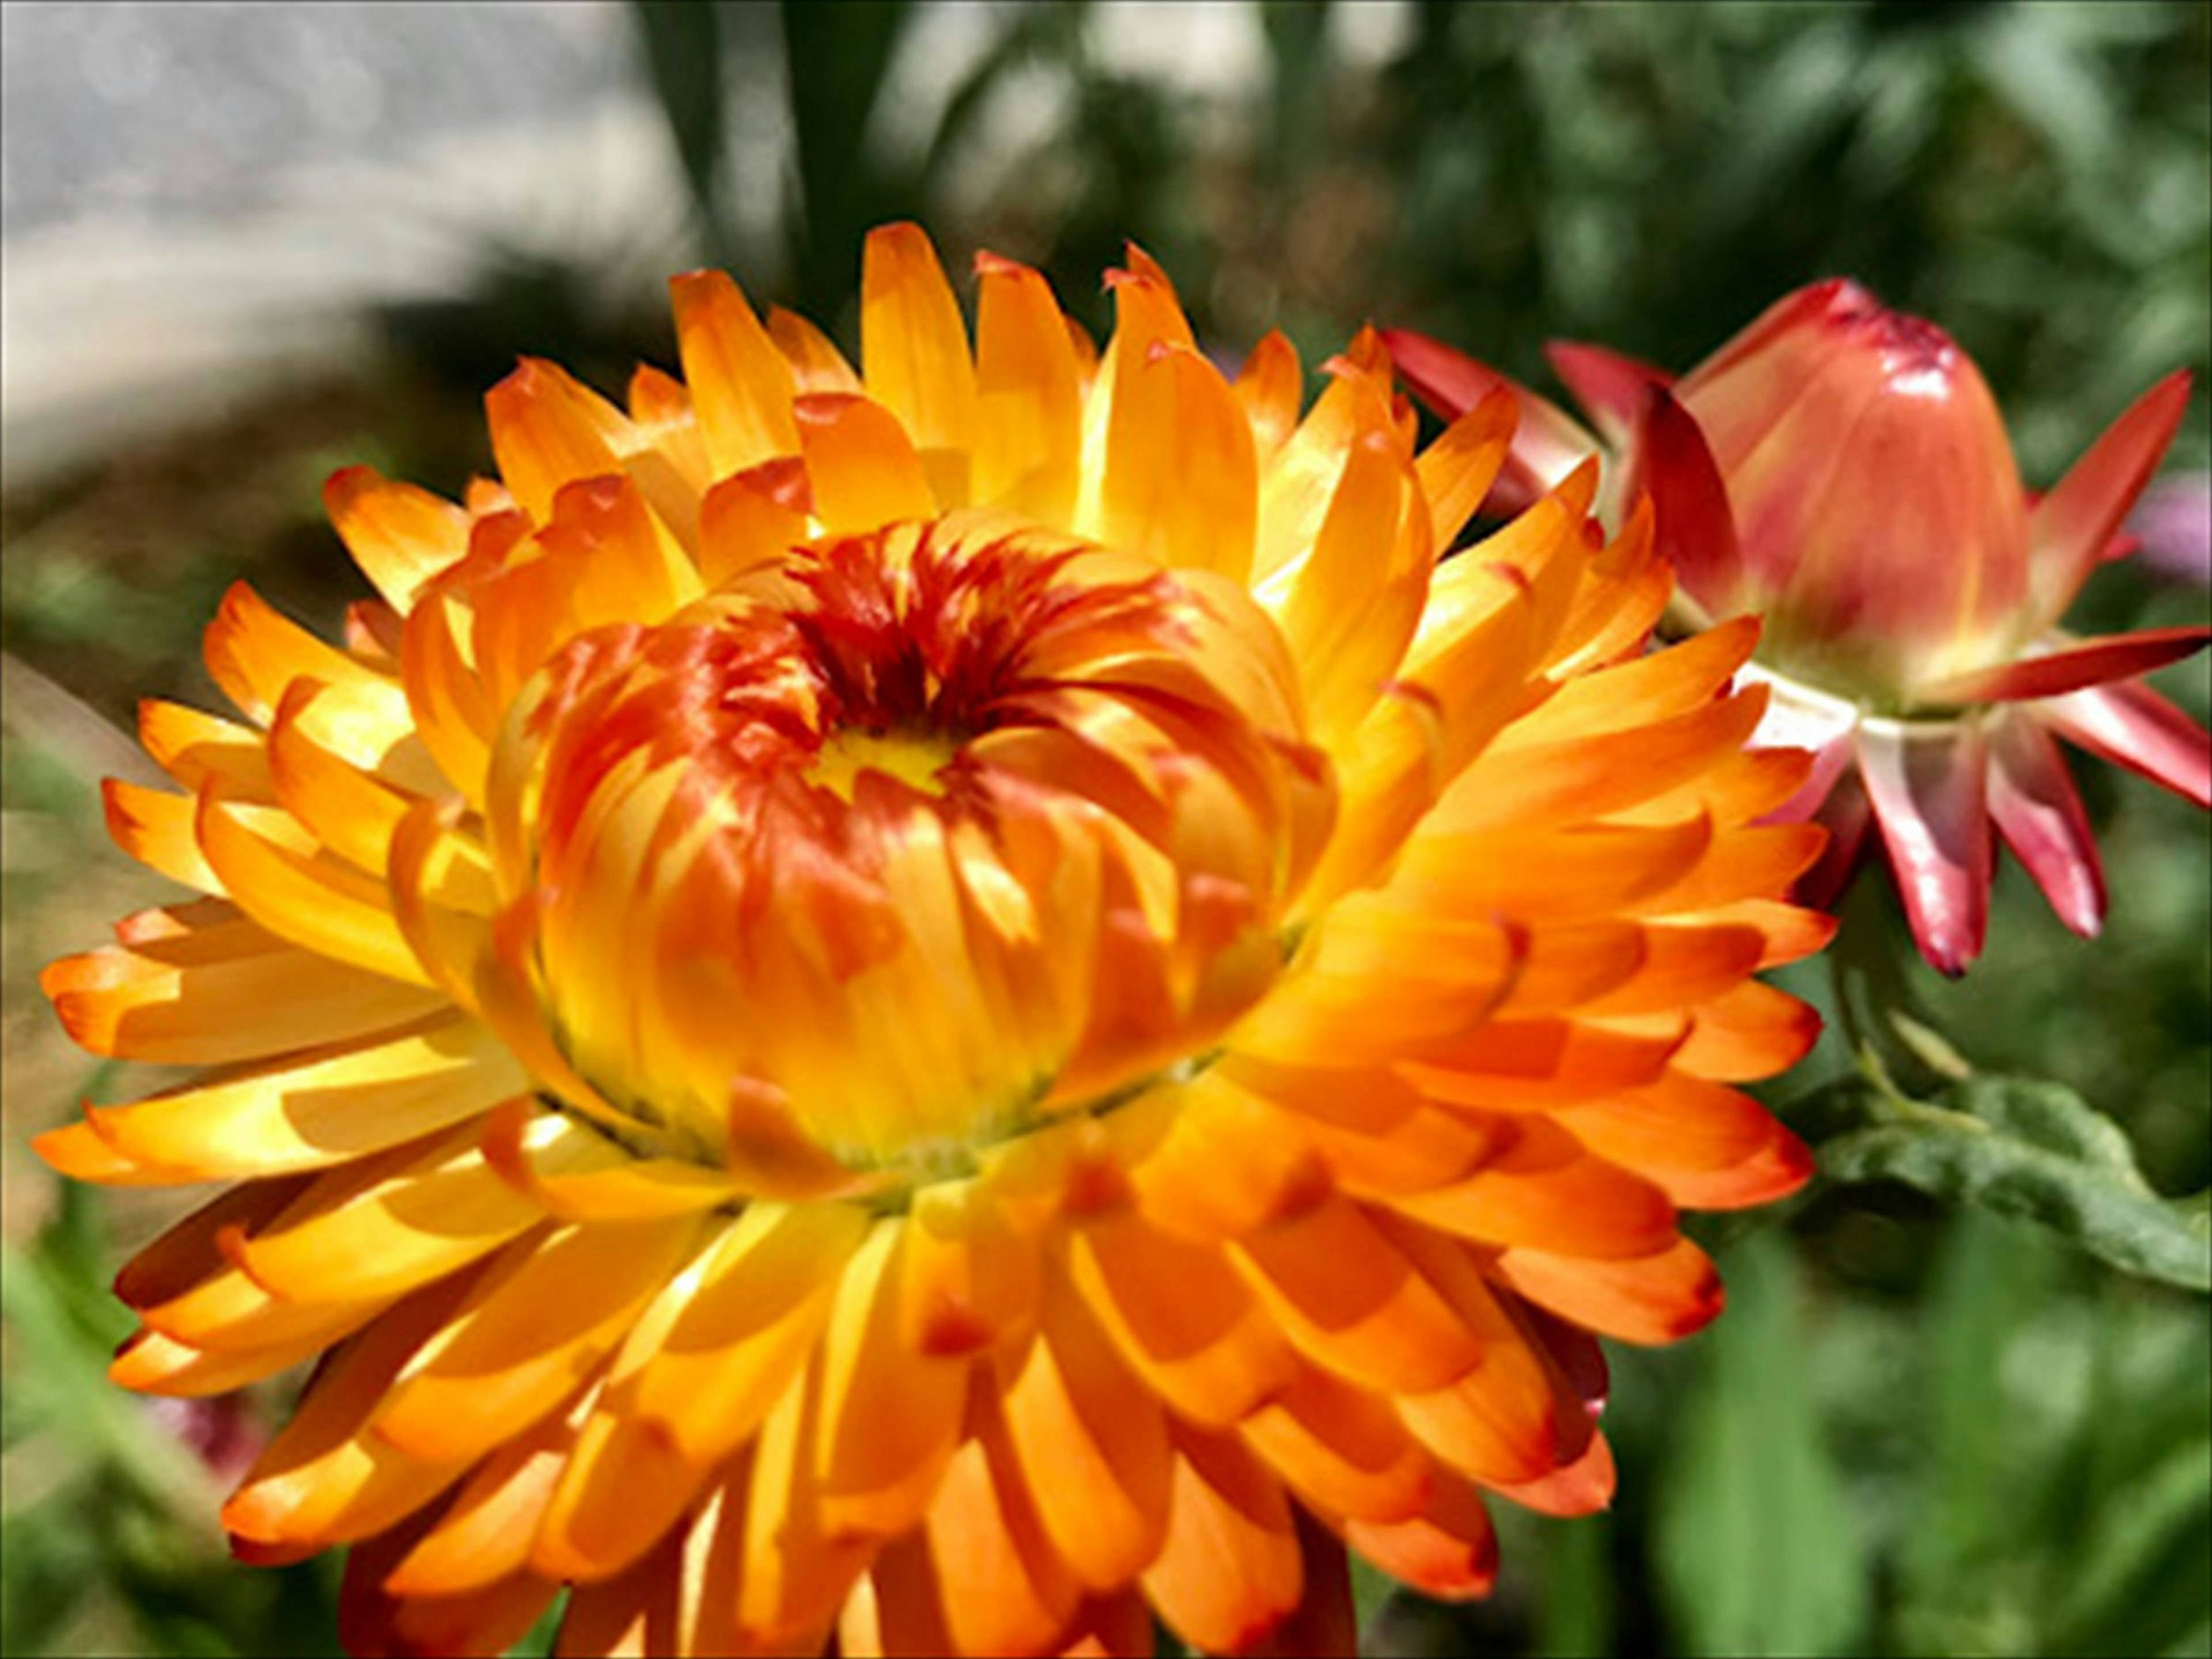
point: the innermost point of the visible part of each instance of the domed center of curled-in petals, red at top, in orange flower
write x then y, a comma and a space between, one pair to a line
906, 846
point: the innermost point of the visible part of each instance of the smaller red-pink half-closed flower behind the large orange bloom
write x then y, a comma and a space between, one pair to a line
1844, 470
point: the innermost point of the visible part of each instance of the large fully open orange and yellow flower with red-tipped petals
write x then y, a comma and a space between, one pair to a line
935, 1008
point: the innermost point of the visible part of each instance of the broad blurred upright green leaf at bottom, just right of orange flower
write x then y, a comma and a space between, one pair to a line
1755, 1545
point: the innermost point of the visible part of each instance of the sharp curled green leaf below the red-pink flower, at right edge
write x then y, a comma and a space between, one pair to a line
2034, 1151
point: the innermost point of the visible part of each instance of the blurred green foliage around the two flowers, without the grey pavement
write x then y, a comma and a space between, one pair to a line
1921, 1430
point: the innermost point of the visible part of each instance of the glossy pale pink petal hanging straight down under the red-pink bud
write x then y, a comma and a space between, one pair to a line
1930, 793
